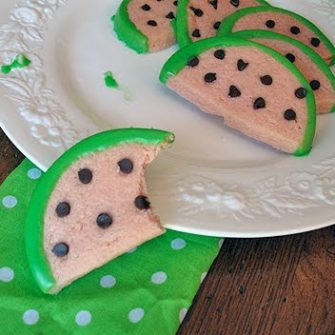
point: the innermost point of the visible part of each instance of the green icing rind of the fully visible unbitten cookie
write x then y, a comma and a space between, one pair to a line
179, 60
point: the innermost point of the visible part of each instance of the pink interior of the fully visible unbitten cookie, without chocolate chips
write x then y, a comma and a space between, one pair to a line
267, 124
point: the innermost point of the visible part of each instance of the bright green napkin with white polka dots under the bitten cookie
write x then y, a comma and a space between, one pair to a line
146, 291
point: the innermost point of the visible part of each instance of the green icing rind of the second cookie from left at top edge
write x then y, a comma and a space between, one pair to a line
182, 31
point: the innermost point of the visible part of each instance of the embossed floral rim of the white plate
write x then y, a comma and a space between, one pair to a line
199, 203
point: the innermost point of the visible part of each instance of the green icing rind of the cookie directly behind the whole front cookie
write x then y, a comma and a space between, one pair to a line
313, 55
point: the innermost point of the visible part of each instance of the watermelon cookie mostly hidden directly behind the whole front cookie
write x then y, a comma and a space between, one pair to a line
311, 65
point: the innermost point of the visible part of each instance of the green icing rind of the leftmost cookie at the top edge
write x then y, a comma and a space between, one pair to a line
127, 31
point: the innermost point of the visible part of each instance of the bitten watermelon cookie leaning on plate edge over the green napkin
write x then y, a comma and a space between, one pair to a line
92, 206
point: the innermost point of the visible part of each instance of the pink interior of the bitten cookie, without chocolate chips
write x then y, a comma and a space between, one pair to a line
110, 191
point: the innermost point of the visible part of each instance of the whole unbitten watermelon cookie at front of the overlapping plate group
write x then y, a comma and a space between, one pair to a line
257, 90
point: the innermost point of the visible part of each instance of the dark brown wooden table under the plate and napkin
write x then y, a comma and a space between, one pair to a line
272, 286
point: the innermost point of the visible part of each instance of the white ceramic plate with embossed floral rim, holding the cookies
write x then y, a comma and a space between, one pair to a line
213, 181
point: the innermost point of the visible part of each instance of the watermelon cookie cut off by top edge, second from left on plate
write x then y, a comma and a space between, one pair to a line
199, 19
